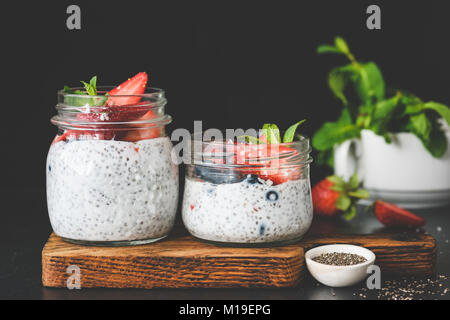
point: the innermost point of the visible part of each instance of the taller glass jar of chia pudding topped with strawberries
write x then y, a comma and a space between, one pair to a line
110, 177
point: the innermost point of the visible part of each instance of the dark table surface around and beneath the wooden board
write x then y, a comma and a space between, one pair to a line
25, 229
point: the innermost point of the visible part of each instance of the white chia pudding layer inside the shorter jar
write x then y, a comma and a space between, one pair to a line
247, 213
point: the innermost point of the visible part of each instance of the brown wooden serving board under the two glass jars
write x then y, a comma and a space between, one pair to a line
180, 261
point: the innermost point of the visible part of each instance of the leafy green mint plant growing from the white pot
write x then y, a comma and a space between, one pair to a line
361, 89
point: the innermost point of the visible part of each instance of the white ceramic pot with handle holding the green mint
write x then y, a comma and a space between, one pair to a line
402, 172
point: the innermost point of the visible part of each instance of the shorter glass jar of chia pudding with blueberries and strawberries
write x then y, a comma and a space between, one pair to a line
243, 194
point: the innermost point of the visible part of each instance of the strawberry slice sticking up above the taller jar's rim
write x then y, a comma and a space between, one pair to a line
133, 86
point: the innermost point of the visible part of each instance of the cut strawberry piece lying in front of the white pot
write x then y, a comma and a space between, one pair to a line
392, 216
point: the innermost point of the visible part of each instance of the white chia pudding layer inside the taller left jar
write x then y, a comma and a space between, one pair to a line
112, 190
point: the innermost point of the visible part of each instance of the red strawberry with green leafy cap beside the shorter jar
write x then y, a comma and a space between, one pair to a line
334, 196
